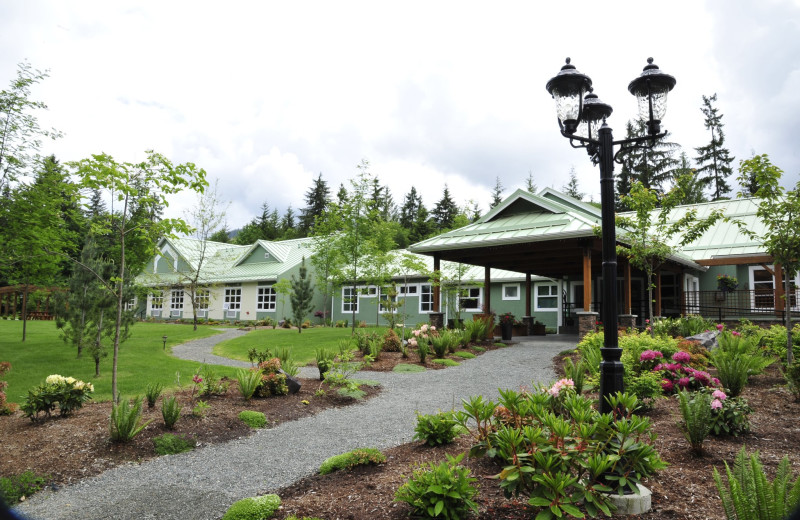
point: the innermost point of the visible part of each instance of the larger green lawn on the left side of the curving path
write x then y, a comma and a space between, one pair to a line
141, 358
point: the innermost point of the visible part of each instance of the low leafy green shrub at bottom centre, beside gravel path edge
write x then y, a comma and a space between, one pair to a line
443, 490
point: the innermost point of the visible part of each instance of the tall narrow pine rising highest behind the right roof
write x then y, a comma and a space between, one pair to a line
714, 160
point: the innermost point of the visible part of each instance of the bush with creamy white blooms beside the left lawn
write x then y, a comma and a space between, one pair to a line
69, 393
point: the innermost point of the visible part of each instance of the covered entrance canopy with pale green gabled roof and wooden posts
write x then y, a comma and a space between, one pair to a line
548, 234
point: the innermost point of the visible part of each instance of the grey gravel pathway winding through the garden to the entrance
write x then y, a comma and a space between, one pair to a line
203, 483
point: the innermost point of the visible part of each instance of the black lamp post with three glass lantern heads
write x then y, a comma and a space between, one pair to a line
582, 119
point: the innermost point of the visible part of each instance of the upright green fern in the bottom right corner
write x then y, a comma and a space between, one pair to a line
750, 496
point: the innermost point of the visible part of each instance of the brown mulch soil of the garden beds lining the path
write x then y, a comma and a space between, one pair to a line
72, 448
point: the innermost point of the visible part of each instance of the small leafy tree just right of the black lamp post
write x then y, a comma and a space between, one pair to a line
649, 238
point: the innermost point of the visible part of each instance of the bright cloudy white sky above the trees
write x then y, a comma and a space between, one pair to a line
266, 95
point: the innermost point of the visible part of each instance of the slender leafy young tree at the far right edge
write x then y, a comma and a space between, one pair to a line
779, 210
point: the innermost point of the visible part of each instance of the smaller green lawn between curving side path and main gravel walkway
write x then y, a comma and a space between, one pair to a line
301, 346
